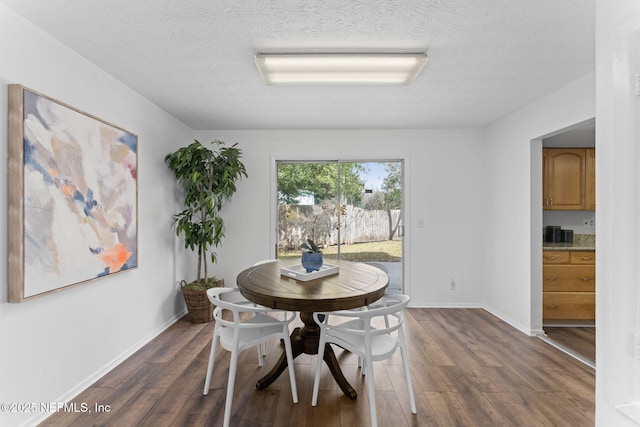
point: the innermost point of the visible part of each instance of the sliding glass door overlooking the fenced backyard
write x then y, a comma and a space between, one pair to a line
354, 210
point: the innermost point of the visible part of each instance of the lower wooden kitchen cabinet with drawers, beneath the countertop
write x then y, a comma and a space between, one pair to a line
568, 285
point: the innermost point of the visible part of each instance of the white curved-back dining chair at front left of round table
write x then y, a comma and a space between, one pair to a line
235, 335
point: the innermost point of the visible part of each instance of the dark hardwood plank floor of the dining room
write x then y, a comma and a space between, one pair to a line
468, 369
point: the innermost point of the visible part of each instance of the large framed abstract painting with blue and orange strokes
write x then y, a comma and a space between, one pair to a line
72, 196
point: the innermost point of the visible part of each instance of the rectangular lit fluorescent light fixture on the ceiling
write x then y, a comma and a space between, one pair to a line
340, 68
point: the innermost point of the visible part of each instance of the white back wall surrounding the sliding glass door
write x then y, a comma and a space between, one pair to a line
444, 185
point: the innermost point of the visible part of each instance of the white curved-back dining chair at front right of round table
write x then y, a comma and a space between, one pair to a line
372, 334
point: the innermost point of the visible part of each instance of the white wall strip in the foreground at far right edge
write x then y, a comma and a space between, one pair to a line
617, 186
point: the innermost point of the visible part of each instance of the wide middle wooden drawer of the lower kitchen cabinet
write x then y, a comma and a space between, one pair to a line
569, 278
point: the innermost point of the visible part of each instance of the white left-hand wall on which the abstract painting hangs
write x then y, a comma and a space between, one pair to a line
55, 345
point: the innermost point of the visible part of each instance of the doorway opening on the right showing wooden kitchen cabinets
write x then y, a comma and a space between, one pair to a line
563, 270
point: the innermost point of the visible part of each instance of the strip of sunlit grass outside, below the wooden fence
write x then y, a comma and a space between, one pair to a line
384, 251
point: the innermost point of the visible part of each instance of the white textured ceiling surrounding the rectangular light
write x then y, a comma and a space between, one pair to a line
194, 58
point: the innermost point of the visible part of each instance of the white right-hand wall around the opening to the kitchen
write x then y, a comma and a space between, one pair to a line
513, 263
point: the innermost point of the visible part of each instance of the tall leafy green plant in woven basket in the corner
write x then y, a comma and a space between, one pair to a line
207, 178
